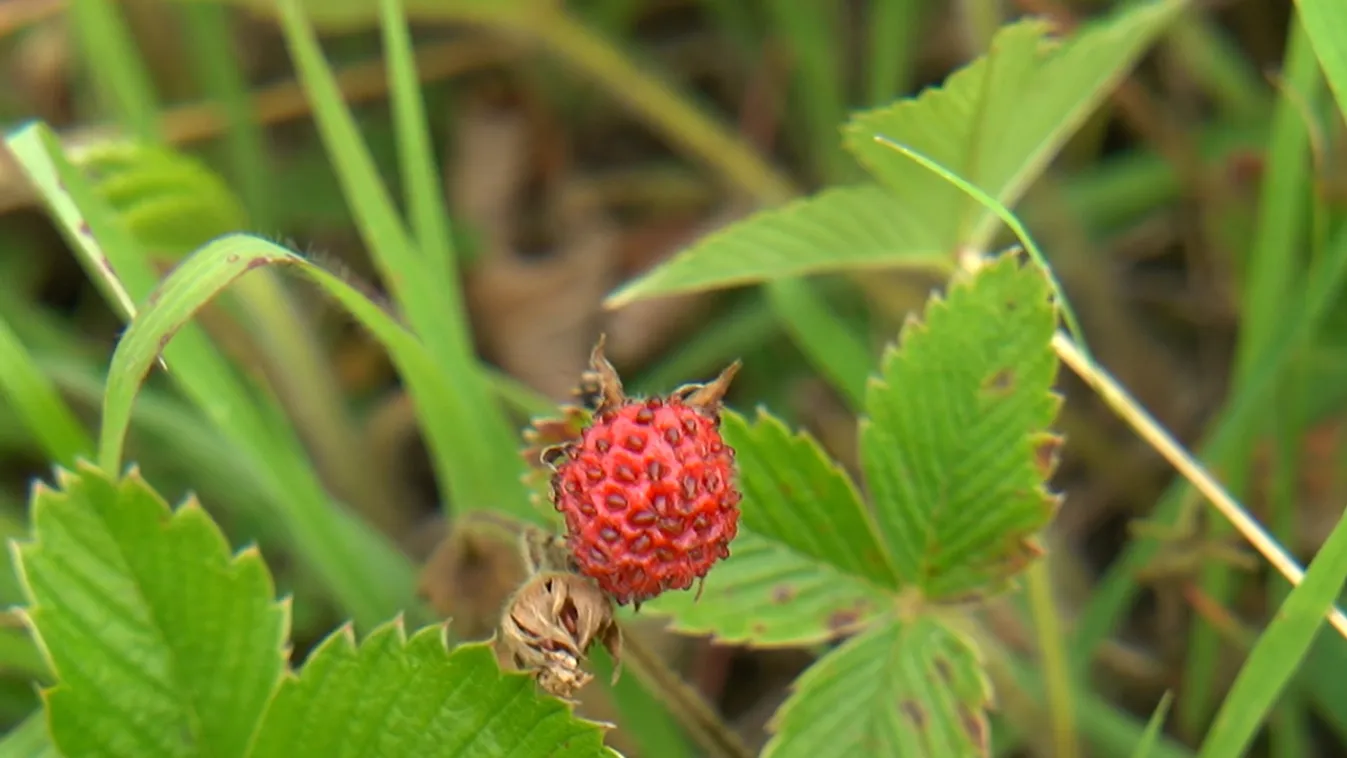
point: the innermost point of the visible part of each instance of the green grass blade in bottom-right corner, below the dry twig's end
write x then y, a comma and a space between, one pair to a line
1279, 652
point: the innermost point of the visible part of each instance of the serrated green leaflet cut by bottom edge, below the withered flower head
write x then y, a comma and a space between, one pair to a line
398, 697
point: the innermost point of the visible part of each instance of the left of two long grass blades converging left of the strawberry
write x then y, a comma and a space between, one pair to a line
488, 472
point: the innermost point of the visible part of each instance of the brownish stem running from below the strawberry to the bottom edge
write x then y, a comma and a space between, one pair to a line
697, 717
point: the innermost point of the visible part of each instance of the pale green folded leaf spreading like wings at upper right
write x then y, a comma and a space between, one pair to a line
997, 123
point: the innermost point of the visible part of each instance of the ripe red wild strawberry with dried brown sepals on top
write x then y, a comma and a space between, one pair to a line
649, 491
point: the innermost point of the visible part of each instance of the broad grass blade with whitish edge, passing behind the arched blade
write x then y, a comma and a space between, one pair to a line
370, 580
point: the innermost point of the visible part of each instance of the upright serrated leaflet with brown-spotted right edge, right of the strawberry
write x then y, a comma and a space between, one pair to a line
956, 448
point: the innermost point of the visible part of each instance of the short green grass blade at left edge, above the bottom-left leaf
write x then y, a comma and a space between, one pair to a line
56, 427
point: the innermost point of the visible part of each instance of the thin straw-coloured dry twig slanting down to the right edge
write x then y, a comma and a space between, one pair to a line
1150, 430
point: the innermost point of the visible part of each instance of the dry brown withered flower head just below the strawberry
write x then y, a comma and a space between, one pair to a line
550, 625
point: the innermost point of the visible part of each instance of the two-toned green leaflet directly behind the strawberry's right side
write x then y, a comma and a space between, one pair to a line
808, 565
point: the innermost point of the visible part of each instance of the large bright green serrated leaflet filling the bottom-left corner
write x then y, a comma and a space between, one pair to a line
161, 642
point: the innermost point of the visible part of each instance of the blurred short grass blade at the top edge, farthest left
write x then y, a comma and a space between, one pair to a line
115, 67
